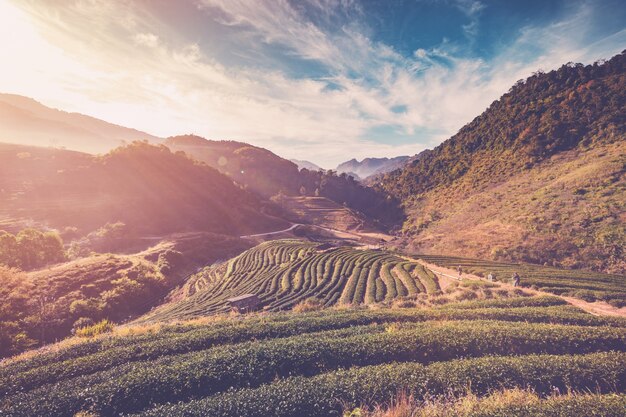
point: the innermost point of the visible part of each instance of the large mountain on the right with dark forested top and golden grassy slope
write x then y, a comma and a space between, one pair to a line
539, 177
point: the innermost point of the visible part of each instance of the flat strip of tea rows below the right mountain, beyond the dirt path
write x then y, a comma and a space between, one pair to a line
586, 285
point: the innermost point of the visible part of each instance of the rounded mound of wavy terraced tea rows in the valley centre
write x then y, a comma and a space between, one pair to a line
284, 273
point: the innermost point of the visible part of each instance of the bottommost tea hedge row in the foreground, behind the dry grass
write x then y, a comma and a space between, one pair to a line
327, 394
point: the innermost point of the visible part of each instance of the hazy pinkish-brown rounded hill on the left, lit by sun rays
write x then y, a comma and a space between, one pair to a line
148, 188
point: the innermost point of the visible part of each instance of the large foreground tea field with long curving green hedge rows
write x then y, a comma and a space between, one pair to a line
322, 363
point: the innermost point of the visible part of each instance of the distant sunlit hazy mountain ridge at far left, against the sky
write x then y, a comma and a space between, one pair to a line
26, 121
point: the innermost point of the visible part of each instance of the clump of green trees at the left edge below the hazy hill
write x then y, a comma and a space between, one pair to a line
30, 249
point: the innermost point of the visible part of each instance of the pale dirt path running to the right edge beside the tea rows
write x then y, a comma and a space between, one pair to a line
598, 308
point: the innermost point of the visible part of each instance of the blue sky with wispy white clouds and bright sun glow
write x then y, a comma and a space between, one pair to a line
319, 80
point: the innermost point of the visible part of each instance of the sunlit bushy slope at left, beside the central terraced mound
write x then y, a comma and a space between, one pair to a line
43, 305
